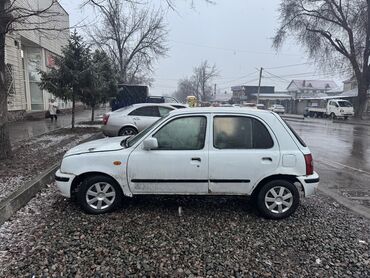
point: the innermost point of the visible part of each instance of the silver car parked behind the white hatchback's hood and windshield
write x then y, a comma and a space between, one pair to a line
132, 119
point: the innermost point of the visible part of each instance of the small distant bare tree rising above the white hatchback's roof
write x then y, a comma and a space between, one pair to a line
203, 75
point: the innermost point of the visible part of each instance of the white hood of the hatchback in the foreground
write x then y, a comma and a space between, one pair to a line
101, 145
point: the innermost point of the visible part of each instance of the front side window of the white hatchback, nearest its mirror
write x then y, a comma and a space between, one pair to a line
187, 133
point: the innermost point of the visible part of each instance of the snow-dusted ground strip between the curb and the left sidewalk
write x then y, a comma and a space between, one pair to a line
48, 148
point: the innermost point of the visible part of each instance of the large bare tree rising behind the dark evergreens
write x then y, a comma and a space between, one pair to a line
133, 36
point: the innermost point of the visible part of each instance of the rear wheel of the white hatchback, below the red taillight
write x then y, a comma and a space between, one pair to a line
277, 199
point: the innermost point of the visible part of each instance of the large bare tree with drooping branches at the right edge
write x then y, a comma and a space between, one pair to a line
336, 34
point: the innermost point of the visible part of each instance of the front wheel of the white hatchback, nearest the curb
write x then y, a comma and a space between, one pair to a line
99, 194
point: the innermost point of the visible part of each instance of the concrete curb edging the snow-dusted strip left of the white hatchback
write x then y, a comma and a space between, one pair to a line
25, 193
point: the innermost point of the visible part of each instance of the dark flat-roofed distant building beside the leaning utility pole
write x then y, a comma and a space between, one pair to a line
245, 93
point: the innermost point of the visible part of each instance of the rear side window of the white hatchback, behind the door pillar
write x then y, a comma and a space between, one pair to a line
233, 132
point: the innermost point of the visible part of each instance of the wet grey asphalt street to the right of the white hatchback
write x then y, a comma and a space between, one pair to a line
342, 157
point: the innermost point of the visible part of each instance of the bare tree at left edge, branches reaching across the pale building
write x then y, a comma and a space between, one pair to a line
23, 16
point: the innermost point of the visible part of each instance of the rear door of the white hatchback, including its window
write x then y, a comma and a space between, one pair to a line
242, 152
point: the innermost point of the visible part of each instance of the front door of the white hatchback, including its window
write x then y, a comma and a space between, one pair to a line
180, 163
